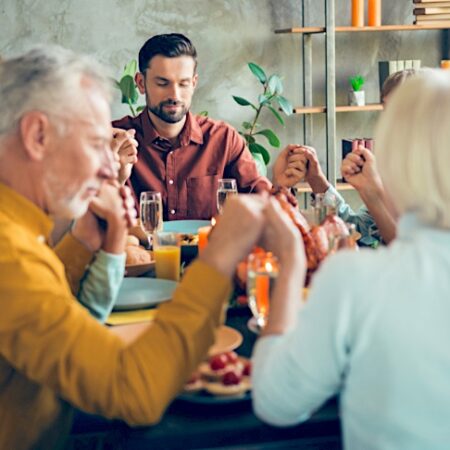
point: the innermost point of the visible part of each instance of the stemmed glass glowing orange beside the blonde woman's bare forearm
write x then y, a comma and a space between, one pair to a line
262, 271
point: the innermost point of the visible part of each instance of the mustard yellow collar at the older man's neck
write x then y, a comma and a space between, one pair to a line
25, 213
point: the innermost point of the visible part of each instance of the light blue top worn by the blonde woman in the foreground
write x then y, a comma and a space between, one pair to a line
376, 329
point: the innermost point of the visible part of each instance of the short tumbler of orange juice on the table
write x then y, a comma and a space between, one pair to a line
167, 254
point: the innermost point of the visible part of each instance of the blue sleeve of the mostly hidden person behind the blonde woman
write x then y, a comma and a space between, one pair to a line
364, 222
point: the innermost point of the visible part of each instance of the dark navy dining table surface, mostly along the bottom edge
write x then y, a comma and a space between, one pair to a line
217, 424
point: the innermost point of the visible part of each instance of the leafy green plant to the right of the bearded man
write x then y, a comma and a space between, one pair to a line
251, 130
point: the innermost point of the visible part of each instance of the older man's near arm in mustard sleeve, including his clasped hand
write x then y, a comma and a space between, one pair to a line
95, 370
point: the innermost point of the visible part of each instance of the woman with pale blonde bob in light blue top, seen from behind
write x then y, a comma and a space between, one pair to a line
376, 327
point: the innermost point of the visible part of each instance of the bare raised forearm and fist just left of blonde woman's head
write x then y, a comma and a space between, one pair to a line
359, 169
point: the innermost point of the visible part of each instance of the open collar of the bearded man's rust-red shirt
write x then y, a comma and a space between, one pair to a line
190, 132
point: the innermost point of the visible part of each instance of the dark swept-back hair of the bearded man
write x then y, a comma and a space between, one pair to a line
168, 45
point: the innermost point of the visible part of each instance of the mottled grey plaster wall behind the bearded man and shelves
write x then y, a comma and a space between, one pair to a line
228, 34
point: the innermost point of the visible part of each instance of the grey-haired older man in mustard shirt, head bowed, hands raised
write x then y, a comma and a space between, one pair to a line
55, 155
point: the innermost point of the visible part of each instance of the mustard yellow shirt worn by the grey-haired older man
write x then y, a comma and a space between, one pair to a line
54, 355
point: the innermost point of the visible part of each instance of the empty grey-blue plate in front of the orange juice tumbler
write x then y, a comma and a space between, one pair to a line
137, 293
